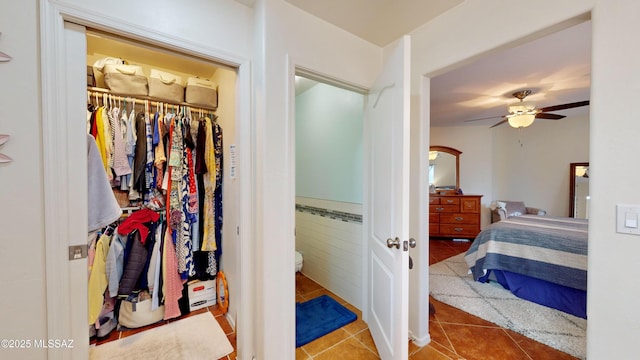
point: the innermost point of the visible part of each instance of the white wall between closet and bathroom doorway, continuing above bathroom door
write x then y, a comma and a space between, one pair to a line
286, 37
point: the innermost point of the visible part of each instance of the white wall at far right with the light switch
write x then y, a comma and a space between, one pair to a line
614, 320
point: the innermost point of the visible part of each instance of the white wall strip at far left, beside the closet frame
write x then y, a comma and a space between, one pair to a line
21, 217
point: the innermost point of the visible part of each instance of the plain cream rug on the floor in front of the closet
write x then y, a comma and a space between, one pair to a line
196, 337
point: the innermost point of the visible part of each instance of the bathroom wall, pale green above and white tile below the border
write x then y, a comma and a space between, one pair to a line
329, 181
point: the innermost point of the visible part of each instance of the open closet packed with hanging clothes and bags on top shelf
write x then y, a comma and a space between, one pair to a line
163, 197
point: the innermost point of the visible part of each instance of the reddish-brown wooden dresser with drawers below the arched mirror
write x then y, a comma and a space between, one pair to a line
454, 216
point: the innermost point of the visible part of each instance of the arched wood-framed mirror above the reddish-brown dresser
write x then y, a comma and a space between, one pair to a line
444, 168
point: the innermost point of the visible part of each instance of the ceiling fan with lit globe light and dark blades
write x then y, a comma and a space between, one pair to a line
523, 113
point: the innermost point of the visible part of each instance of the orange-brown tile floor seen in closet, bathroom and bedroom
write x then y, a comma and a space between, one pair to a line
455, 334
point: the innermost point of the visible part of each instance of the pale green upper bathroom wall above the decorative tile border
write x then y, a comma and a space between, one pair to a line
329, 144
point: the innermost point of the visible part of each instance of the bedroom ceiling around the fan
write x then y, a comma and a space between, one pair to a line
556, 68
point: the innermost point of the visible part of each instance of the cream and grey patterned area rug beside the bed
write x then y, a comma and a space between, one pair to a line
450, 283
